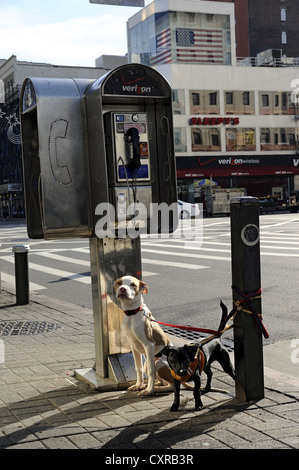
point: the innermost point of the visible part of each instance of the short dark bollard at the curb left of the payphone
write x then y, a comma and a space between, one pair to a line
21, 274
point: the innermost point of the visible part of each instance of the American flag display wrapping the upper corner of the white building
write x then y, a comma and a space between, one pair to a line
192, 46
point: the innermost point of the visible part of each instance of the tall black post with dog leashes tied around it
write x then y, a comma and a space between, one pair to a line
246, 278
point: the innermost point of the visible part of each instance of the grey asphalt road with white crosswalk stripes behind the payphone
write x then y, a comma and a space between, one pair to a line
185, 284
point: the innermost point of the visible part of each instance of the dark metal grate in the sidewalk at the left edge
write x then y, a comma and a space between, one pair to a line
16, 328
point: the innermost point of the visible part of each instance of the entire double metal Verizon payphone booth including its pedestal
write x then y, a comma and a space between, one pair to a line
99, 162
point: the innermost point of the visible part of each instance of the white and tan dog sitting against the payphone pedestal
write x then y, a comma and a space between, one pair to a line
145, 336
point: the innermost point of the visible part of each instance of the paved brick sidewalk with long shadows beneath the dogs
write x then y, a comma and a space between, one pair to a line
43, 406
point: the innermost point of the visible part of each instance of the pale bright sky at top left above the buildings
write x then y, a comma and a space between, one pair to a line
62, 32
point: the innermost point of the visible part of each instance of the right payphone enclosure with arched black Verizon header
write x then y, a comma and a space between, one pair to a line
132, 96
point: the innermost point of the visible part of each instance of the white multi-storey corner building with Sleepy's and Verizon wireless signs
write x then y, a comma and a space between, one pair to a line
235, 123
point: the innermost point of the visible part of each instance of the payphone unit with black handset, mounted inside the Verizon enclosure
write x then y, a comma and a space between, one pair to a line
130, 147
